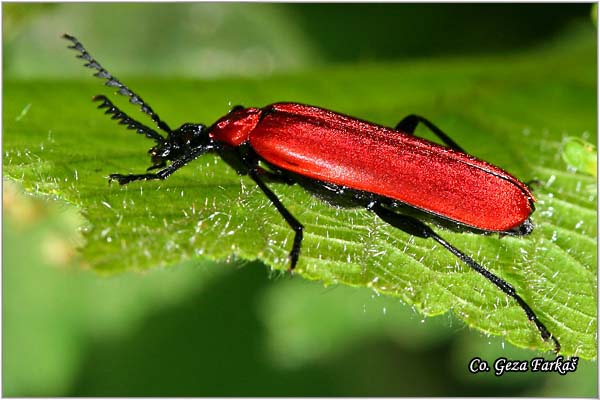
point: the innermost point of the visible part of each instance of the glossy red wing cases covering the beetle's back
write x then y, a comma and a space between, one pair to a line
331, 147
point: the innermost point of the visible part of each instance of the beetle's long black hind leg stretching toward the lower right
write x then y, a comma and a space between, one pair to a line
417, 228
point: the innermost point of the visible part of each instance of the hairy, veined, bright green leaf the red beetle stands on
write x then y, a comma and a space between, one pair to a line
508, 110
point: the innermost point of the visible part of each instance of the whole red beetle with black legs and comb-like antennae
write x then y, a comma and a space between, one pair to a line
387, 171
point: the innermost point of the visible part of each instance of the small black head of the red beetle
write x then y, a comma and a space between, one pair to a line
181, 142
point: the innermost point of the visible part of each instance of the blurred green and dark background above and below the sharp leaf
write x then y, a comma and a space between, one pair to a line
194, 329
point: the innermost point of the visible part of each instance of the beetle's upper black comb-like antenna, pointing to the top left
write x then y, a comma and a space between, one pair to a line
114, 82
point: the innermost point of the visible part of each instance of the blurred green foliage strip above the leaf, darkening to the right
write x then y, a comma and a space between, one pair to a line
259, 39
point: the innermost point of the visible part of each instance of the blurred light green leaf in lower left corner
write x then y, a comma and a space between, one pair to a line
53, 315
